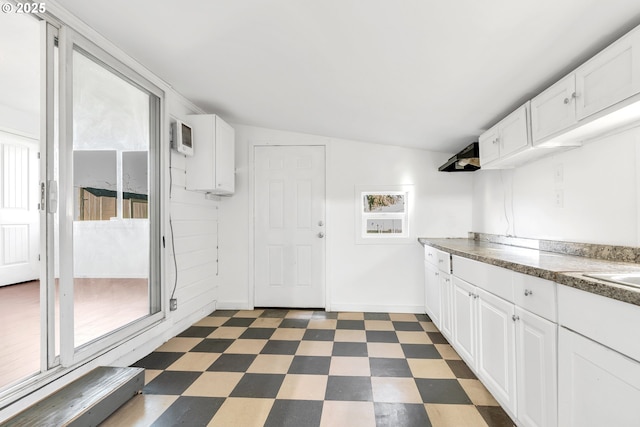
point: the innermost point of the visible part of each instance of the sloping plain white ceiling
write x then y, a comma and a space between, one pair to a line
418, 73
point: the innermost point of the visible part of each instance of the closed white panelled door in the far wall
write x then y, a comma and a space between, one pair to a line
289, 226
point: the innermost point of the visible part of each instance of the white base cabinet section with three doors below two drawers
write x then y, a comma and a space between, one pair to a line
511, 350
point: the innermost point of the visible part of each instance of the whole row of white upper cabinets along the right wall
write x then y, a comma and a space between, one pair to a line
601, 95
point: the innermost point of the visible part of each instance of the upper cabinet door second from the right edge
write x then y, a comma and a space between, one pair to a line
554, 109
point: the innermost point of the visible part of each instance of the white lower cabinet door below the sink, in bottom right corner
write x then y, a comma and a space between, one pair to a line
597, 386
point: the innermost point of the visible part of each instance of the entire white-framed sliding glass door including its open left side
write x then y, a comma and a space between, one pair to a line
79, 202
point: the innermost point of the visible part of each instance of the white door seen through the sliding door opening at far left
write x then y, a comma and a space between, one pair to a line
19, 215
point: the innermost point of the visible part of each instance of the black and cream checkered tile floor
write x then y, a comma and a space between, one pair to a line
299, 368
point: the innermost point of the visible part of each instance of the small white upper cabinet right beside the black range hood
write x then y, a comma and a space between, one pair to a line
510, 136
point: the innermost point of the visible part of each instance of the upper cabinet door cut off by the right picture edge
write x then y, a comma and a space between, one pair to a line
609, 77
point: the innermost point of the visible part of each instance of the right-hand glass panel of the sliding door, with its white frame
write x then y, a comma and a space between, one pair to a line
109, 192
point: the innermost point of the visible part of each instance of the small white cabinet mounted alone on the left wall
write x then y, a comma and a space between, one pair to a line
211, 169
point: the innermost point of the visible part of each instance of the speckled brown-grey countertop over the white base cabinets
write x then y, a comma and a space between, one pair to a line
558, 267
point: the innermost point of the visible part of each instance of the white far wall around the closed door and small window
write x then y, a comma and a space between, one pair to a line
359, 277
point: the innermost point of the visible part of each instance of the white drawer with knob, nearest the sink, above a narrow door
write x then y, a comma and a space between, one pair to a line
535, 295
